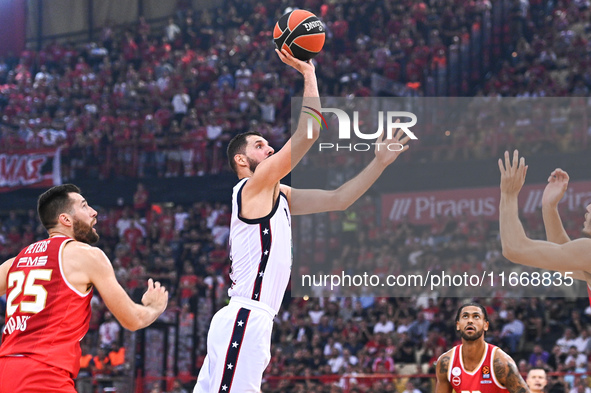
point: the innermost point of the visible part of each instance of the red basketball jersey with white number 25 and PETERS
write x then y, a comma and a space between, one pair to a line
46, 316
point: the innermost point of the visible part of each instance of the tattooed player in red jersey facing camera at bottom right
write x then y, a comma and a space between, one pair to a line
476, 366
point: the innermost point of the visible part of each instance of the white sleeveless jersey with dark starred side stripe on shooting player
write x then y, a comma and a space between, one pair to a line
260, 251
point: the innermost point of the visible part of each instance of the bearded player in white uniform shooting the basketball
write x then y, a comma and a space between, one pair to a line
239, 338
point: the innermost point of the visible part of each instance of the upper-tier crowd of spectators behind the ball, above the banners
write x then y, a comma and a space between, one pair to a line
144, 101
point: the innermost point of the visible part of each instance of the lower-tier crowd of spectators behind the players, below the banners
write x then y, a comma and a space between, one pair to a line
327, 342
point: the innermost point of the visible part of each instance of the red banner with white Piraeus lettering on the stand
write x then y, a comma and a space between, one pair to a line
425, 207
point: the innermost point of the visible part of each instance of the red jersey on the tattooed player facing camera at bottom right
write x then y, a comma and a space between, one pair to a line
482, 379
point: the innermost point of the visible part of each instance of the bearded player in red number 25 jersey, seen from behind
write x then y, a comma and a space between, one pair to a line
49, 285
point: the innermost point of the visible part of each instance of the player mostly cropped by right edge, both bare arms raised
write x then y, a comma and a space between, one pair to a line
559, 253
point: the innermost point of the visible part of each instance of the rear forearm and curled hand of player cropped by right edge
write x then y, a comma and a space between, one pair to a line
553, 193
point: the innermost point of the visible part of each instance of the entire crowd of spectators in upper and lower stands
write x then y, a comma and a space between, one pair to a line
142, 101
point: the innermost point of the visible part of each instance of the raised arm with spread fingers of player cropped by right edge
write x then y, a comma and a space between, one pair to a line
517, 247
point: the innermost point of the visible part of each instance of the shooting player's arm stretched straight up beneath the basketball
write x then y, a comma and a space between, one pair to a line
276, 167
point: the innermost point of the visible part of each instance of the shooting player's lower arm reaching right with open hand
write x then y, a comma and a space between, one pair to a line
317, 201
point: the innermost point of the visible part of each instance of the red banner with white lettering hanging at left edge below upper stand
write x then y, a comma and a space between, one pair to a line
30, 168
